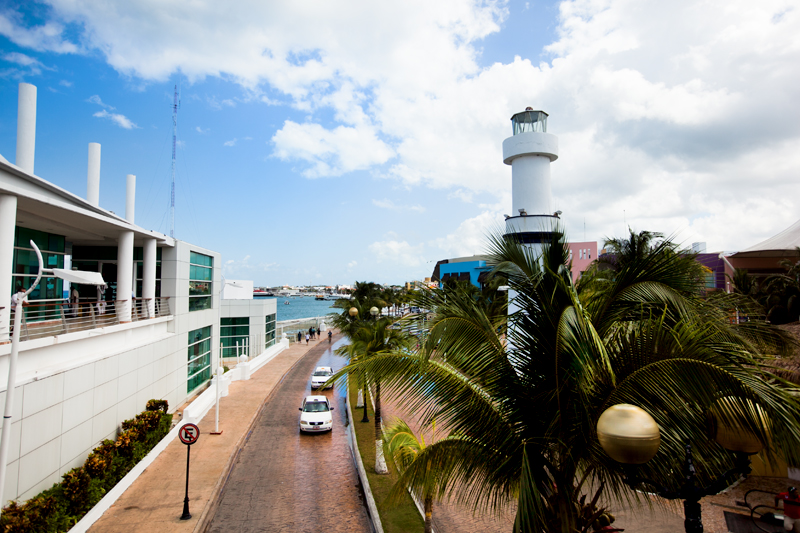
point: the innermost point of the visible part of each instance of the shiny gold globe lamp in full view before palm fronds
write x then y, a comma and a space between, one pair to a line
628, 434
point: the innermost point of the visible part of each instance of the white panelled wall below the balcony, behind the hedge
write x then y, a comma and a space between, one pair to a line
76, 389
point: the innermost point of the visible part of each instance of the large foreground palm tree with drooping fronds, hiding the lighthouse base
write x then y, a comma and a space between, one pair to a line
526, 410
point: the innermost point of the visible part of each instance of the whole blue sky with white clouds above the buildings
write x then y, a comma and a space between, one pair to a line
332, 141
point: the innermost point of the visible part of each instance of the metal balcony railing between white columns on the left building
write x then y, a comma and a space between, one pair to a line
45, 318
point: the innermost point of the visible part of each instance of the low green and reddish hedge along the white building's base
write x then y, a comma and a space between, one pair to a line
61, 506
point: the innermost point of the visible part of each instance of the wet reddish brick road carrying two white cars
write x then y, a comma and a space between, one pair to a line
292, 482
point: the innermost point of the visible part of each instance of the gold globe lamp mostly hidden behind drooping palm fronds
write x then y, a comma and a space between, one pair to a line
730, 431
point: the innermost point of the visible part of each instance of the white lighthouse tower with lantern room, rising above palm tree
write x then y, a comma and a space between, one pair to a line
529, 151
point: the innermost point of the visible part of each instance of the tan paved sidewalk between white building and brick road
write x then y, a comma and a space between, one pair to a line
154, 502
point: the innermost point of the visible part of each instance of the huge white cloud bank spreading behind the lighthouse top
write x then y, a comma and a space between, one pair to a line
672, 114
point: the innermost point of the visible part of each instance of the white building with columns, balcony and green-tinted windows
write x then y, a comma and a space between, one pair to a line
85, 368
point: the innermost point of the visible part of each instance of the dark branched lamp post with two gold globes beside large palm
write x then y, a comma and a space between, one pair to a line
629, 435
